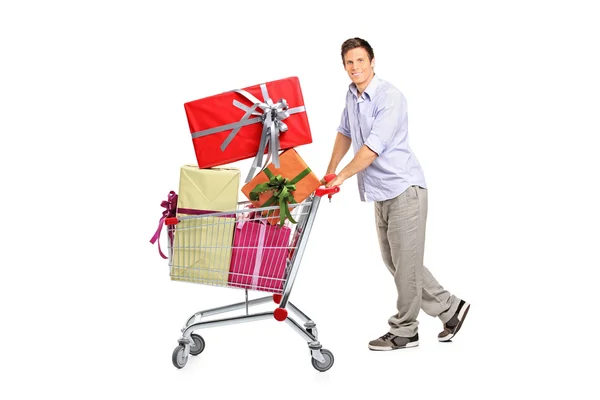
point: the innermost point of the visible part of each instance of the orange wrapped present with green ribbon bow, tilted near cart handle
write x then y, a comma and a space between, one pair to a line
292, 183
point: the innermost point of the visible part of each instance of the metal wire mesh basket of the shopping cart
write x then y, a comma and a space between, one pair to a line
244, 248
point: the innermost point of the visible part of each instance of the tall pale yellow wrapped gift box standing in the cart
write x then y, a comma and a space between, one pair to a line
202, 246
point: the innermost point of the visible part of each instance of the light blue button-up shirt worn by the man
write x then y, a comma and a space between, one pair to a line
378, 119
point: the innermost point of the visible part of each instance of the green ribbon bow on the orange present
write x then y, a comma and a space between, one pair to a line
282, 189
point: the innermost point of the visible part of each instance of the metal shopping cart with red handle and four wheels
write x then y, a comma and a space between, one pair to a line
245, 249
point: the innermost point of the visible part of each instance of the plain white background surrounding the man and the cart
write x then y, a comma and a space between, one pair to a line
503, 105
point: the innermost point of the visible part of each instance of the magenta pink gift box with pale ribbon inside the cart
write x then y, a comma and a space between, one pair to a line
259, 258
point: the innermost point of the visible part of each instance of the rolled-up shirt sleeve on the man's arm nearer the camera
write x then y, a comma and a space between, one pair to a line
388, 118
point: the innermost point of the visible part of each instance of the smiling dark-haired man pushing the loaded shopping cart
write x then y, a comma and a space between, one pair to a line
374, 122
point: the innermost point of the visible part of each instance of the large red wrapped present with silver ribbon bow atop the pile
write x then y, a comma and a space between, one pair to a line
246, 123
